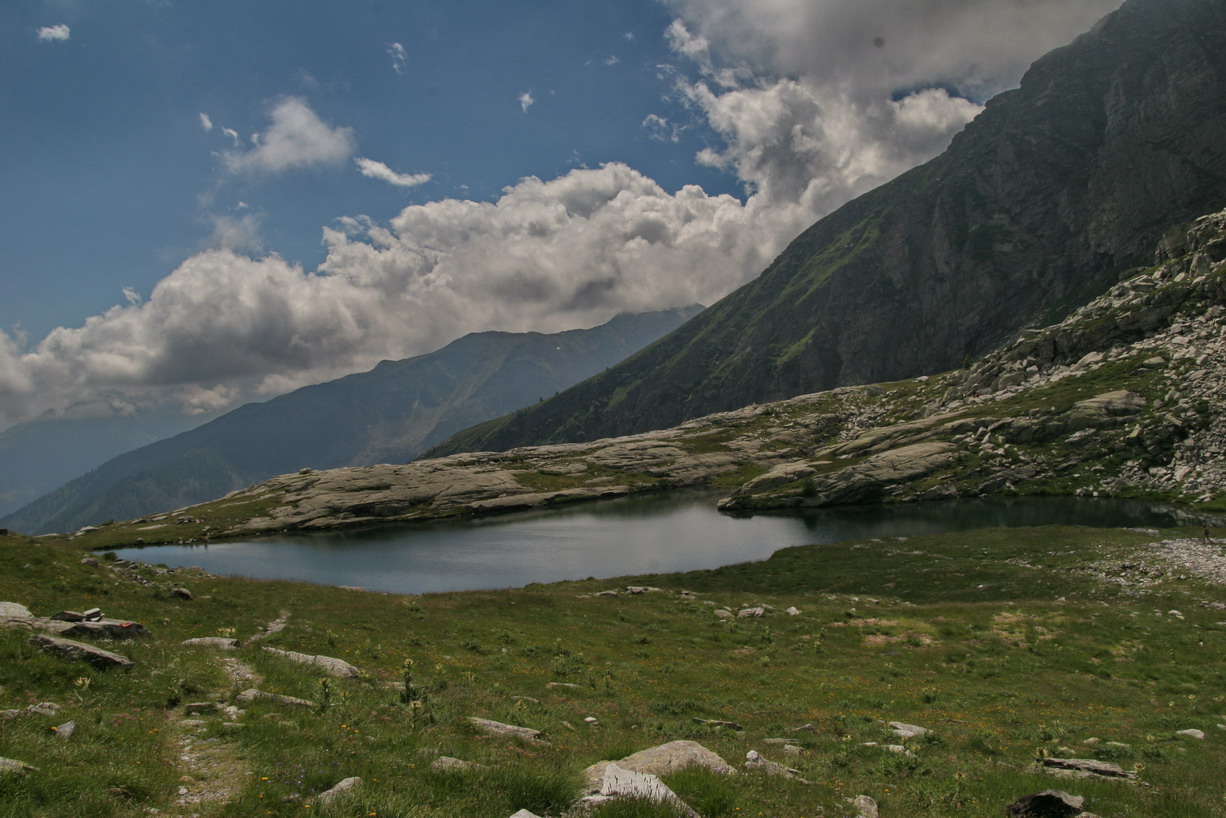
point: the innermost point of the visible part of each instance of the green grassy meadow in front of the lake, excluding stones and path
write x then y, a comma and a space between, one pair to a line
1007, 644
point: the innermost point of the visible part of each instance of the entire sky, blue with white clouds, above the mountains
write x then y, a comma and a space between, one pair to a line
210, 203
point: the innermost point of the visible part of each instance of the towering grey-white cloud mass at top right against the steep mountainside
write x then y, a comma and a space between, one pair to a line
818, 102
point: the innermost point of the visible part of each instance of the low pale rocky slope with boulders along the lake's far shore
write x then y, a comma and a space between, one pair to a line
1124, 398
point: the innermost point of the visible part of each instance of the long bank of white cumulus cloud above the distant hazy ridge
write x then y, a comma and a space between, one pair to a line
546, 256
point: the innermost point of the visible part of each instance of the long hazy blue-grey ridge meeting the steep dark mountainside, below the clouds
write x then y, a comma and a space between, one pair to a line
388, 415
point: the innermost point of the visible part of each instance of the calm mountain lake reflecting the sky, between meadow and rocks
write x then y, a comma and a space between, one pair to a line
636, 535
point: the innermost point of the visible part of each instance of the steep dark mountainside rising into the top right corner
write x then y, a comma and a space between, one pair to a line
1030, 213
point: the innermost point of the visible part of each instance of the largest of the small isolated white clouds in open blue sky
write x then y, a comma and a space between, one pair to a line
296, 139
